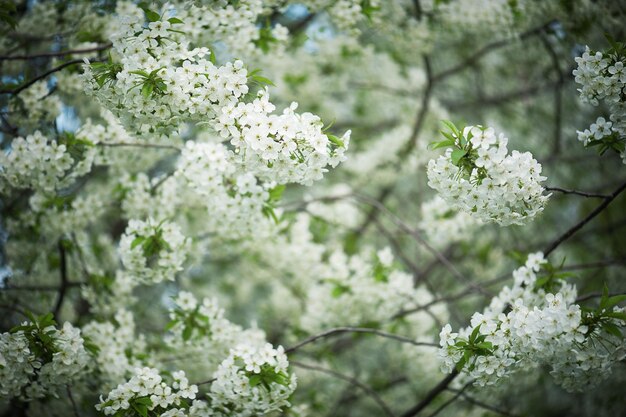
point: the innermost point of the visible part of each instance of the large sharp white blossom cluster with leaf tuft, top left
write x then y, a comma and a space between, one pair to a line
159, 82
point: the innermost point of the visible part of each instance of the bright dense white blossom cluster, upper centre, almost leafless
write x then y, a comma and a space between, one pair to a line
290, 147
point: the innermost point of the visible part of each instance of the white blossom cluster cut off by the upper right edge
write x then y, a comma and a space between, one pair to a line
602, 77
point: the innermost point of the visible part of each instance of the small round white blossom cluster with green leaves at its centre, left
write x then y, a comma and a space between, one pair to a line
153, 252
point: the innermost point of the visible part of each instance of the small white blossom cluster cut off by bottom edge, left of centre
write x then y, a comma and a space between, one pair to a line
146, 391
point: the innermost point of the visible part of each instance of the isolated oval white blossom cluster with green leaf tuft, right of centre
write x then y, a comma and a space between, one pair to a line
476, 175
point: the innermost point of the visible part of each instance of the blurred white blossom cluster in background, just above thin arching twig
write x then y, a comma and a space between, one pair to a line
355, 290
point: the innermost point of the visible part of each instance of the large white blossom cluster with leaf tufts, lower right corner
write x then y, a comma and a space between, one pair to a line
534, 323
